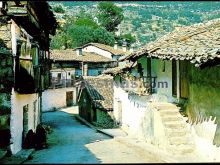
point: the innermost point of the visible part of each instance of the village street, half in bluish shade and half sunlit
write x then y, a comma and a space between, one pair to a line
73, 142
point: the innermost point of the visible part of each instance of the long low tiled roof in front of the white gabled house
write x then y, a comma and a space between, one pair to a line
70, 55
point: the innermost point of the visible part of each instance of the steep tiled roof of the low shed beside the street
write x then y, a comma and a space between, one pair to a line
100, 90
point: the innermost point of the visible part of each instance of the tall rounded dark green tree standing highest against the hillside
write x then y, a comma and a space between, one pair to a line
109, 15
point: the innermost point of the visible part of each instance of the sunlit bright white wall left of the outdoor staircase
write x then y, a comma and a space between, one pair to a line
136, 116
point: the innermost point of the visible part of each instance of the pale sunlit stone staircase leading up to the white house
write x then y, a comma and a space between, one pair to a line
179, 138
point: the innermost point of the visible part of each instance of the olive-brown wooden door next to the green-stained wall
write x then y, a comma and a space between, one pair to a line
184, 85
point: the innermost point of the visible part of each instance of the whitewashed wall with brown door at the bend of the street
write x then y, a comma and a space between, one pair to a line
56, 98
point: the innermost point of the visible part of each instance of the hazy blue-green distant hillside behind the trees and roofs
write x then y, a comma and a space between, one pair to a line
149, 20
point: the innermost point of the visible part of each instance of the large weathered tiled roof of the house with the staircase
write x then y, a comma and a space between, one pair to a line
197, 43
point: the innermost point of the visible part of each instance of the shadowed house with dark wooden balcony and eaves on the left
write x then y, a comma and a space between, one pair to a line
24, 68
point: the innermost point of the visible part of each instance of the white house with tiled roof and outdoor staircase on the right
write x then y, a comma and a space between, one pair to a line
182, 69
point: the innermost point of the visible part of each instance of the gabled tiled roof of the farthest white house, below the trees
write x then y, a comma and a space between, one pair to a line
107, 48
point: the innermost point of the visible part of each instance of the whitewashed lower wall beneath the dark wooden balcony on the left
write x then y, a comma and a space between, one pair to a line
16, 121
